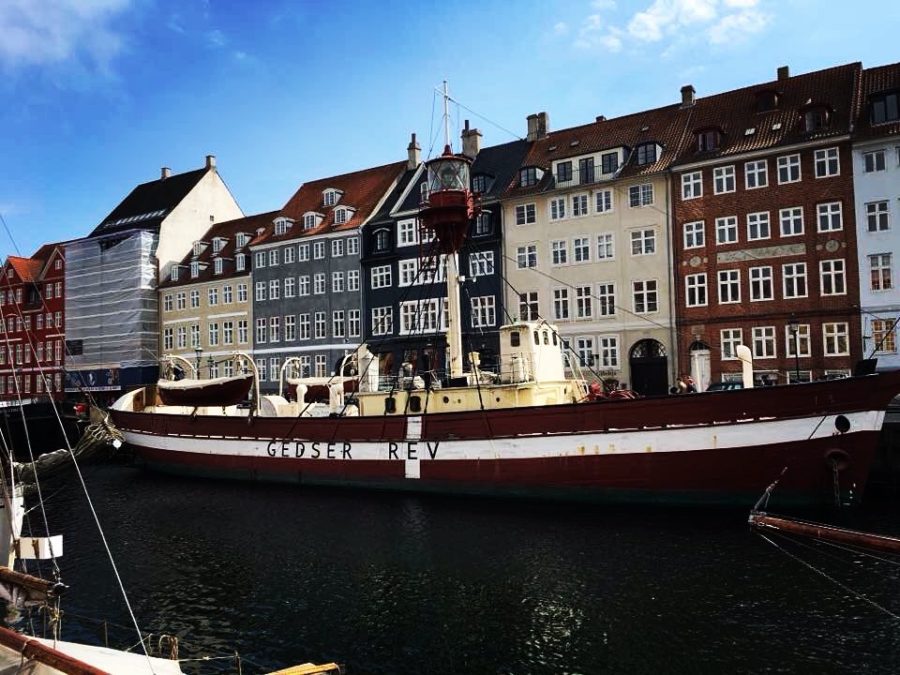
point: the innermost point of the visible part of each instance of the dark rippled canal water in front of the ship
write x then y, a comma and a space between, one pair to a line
392, 583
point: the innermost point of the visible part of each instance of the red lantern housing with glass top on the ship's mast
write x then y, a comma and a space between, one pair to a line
448, 206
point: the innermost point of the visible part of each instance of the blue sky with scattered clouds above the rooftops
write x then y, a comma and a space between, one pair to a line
98, 95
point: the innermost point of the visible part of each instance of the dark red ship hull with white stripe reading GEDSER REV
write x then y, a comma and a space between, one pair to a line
711, 448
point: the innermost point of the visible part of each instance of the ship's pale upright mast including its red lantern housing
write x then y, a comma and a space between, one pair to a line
447, 209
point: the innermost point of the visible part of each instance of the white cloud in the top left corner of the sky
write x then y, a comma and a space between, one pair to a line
53, 31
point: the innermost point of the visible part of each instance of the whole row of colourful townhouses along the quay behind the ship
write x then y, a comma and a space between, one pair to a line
655, 242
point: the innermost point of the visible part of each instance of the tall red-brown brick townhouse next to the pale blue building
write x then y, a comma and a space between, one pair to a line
764, 230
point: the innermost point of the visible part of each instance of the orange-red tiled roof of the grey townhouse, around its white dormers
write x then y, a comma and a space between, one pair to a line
361, 190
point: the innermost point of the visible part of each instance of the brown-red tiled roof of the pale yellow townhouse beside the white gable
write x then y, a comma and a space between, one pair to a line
227, 230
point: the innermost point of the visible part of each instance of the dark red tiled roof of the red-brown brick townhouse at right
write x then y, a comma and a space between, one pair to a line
744, 127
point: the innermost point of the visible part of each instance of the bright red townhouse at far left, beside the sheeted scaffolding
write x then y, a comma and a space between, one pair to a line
32, 304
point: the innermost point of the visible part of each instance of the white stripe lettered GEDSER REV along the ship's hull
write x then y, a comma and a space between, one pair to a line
686, 439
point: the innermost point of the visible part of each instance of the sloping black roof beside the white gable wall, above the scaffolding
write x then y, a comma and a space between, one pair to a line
149, 203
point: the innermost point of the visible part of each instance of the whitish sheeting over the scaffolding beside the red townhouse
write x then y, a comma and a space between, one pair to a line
112, 317
